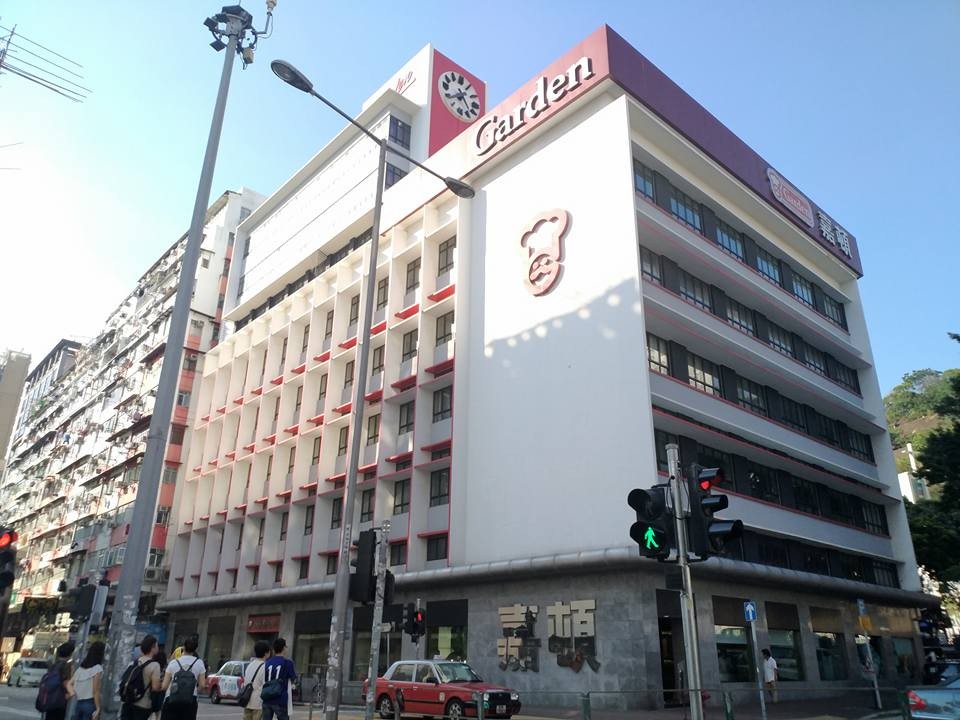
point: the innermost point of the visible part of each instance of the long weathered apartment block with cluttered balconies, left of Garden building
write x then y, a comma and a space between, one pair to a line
76, 458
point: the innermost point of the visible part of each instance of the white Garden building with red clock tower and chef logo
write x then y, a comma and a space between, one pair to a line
629, 274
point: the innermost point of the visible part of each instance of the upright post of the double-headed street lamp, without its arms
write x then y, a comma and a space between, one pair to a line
341, 588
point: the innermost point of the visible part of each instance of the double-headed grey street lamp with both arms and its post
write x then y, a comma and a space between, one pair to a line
290, 75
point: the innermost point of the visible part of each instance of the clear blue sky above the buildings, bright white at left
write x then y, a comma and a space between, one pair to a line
855, 102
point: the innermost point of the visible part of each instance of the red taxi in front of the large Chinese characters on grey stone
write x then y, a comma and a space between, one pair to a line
439, 687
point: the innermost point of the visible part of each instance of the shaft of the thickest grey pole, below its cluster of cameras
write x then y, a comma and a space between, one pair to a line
124, 618
